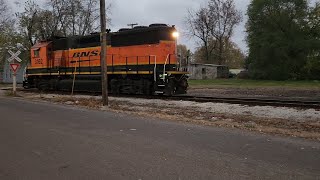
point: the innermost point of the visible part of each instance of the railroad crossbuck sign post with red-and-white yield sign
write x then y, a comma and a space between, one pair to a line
14, 67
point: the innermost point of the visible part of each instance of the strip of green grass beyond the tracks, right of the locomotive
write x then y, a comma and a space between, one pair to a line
240, 83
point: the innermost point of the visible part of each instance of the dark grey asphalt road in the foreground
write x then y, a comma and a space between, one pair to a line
46, 141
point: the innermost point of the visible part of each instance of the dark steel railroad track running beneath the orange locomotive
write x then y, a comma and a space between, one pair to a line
305, 104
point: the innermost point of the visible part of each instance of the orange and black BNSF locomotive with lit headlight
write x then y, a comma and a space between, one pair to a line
140, 60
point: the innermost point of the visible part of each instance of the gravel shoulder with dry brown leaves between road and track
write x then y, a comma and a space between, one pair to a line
285, 121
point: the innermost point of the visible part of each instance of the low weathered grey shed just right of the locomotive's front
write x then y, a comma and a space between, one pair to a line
208, 71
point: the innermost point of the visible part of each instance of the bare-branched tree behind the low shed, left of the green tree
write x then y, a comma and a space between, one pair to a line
214, 23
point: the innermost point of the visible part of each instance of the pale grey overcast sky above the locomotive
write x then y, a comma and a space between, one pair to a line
174, 12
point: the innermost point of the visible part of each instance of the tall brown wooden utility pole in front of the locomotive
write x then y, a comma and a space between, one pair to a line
103, 59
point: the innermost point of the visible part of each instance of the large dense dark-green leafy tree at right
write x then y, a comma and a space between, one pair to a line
279, 38
